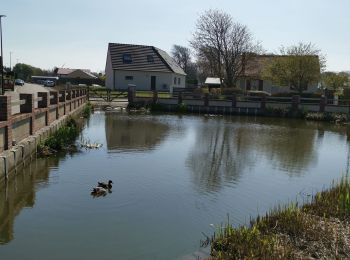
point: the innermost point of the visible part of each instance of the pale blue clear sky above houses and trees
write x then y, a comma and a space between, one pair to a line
76, 33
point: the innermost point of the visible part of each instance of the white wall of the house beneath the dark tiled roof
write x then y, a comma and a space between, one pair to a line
142, 80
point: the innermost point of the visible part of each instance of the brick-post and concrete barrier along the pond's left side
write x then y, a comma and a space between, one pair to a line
23, 115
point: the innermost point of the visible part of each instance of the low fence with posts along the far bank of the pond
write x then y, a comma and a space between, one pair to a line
239, 103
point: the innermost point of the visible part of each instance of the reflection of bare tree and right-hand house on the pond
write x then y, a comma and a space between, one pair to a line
225, 148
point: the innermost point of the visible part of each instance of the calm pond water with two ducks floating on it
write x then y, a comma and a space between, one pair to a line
173, 177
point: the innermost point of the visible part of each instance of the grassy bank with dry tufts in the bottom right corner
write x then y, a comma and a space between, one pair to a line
318, 229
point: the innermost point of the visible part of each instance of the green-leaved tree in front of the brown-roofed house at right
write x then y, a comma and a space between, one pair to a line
297, 66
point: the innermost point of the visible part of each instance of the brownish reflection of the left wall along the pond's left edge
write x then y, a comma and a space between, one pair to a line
19, 192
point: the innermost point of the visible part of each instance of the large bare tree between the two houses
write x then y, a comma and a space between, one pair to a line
225, 44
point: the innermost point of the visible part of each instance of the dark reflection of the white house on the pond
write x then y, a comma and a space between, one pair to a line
133, 133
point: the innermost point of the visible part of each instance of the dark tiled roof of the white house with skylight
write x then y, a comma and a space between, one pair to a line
162, 62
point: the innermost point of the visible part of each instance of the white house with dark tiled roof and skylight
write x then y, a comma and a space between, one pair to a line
146, 67
